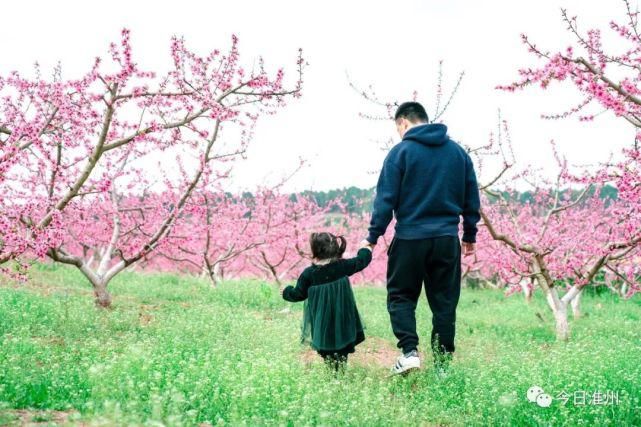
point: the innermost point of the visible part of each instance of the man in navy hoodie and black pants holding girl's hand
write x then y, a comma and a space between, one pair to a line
427, 182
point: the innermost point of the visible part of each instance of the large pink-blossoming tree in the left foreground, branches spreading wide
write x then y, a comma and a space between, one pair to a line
75, 154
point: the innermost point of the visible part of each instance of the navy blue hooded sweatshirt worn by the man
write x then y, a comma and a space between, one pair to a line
427, 183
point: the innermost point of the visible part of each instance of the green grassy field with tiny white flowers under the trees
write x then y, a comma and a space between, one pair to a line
174, 351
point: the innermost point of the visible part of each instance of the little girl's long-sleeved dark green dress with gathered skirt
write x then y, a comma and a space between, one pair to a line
331, 322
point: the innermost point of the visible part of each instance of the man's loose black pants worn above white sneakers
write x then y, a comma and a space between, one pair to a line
435, 263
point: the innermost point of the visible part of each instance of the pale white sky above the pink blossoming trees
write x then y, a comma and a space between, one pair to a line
394, 45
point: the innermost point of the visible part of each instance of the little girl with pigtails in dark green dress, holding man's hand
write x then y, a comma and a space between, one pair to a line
330, 316
